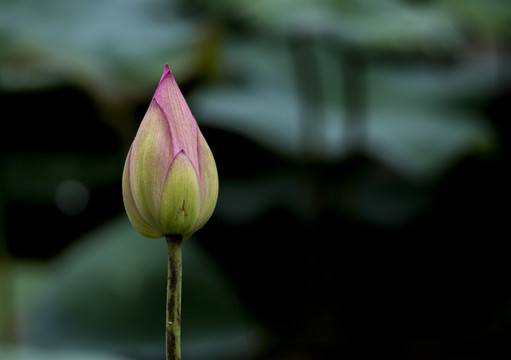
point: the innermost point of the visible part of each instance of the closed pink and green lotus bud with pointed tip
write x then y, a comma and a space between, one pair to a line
170, 181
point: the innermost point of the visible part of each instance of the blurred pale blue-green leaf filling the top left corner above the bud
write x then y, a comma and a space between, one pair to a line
110, 47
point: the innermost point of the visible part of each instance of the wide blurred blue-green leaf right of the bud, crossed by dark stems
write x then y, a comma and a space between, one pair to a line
414, 122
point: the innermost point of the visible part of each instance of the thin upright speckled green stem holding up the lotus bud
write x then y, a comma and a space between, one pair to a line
173, 334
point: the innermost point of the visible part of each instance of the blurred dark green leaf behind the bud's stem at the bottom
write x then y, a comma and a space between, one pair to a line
108, 293
